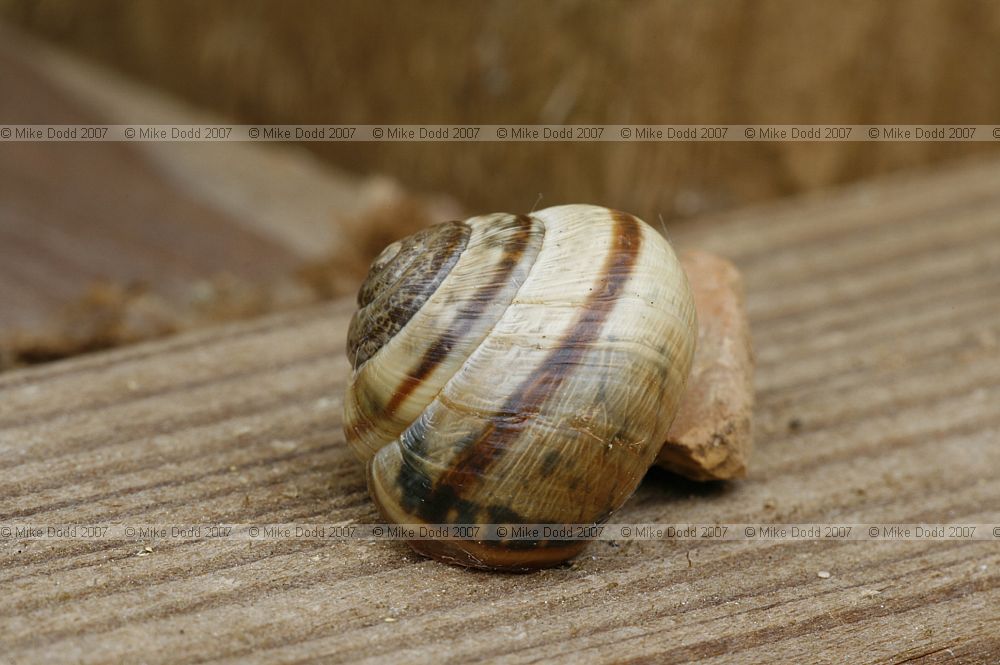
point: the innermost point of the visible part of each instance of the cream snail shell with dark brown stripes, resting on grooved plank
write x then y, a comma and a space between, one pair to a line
513, 369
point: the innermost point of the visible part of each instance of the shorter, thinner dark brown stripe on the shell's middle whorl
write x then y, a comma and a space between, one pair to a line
470, 312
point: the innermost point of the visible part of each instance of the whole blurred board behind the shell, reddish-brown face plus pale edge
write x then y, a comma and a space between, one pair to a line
166, 215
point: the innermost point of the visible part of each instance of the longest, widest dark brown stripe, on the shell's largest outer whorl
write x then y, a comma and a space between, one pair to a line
507, 423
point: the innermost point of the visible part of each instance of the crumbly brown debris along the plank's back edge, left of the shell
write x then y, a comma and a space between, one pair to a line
110, 314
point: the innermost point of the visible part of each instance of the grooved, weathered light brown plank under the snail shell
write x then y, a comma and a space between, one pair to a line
876, 319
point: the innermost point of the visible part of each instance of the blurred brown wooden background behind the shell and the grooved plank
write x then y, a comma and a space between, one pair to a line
203, 232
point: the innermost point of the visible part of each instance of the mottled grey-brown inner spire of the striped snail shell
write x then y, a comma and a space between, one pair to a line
399, 283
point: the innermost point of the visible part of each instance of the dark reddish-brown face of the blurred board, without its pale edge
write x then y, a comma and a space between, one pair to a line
76, 213
